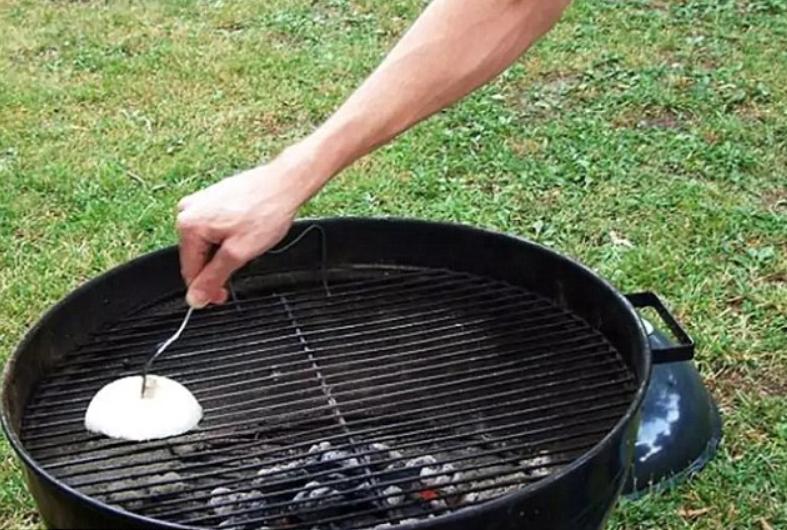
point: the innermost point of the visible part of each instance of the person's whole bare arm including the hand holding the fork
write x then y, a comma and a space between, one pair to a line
454, 47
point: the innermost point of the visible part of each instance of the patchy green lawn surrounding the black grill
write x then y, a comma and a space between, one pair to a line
646, 138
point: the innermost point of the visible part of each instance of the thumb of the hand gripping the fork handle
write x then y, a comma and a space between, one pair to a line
208, 286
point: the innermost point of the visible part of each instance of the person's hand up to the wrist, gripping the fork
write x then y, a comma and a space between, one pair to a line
233, 221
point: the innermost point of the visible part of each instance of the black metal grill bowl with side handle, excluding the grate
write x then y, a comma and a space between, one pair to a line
578, 496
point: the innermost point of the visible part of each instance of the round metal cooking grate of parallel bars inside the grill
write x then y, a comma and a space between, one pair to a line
404, 394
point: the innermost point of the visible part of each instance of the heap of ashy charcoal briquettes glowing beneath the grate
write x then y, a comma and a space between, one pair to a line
334, 482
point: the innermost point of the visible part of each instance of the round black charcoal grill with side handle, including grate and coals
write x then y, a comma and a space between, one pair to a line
447, 377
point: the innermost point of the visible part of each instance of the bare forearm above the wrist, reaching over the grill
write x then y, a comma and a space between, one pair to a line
454, 47
